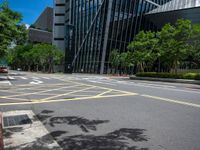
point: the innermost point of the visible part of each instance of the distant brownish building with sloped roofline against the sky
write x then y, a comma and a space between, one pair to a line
41, 30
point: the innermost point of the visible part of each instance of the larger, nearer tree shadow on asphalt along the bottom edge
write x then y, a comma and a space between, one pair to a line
122, 139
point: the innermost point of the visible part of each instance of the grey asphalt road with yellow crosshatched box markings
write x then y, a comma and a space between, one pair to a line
94, 112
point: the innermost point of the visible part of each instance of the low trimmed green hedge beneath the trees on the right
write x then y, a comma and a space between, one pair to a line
193, 76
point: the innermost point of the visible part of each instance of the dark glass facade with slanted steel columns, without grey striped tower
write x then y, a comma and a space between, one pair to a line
102, 25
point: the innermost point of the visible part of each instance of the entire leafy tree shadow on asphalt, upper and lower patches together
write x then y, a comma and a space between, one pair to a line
120, 139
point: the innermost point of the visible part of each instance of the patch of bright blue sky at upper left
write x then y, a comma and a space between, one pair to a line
30, 9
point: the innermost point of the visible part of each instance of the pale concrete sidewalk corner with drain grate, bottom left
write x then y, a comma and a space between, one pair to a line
26, 134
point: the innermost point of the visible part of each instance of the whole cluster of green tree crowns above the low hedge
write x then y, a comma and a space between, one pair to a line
168, 48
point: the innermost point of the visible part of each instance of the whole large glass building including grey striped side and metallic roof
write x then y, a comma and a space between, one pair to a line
87, 30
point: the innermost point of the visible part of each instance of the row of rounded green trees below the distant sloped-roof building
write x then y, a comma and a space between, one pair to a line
35, 57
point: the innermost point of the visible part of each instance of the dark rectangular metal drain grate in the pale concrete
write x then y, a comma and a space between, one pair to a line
16, 120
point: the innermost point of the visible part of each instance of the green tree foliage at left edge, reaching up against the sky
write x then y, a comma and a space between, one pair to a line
11, 29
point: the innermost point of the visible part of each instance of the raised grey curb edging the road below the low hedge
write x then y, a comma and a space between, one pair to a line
166, 80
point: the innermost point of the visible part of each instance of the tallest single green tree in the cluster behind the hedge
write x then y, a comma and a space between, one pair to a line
174, 43
